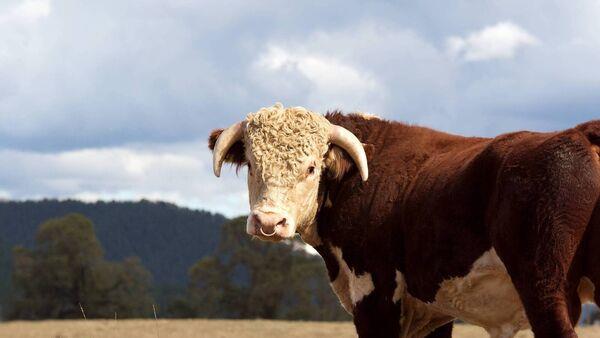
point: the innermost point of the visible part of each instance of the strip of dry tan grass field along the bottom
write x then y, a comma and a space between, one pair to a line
207, 328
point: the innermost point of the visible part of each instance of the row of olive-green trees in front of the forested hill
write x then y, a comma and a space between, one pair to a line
66, 275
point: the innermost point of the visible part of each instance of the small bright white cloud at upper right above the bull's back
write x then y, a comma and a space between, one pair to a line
500, 41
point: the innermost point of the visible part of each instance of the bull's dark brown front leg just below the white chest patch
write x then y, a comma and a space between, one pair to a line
376, 316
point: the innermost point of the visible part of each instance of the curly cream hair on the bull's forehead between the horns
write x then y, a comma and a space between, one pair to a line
282, 138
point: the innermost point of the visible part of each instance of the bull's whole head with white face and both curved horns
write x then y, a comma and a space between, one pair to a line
286, 150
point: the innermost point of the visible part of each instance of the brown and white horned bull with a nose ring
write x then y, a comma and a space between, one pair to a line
500, 232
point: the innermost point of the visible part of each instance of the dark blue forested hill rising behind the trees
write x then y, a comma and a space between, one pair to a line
168, 239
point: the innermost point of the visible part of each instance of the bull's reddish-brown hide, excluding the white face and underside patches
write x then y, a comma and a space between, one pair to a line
435, 202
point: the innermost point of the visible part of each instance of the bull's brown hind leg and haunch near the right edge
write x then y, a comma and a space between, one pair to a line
541, 208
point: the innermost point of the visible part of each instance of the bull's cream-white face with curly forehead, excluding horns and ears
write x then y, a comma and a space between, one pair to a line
285, 151
